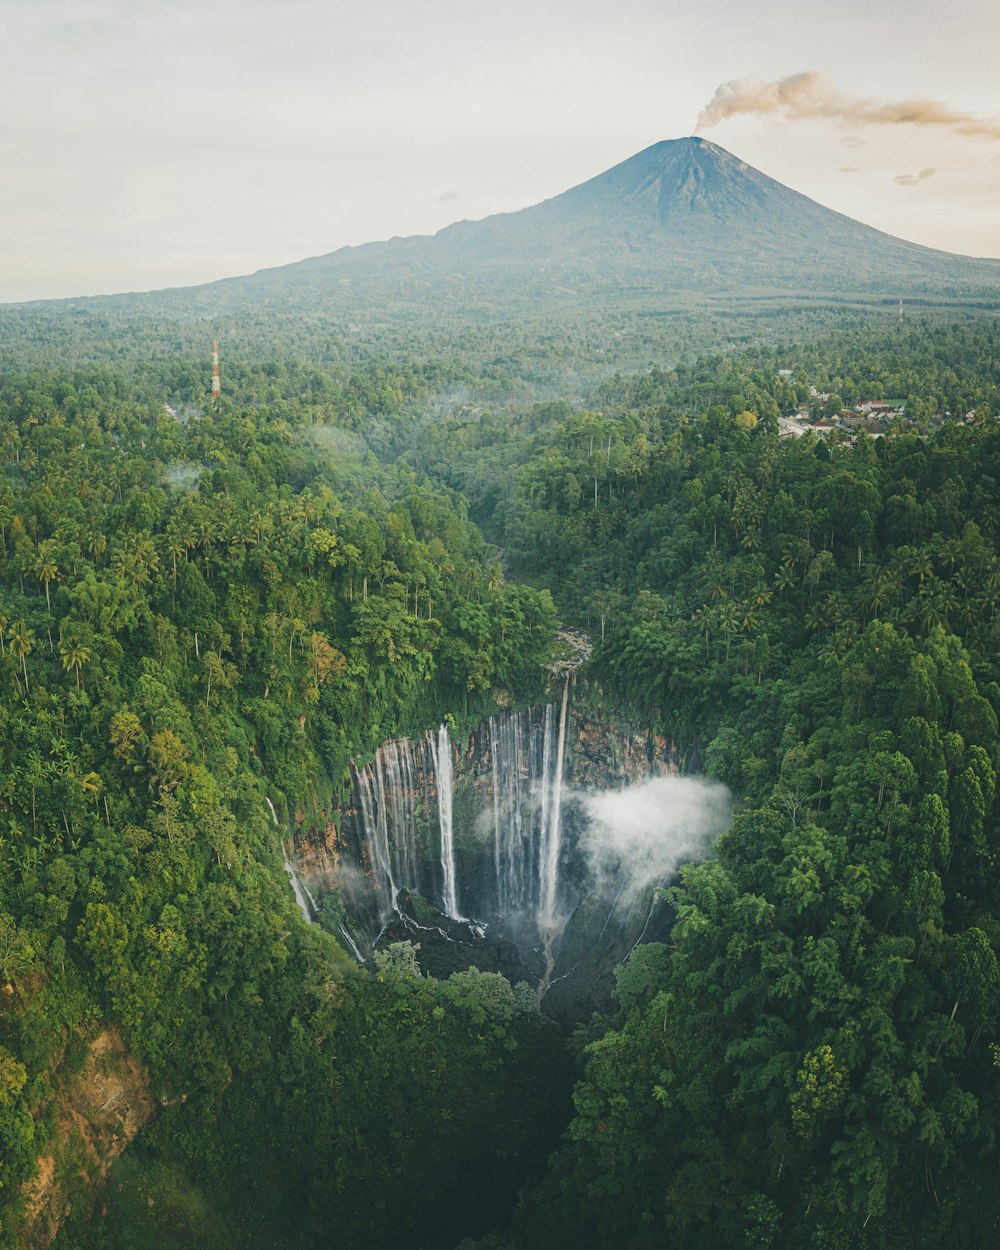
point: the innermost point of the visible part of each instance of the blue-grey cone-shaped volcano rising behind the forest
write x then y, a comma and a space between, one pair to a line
683, 216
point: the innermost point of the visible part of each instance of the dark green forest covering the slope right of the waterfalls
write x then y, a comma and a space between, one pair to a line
809, 1062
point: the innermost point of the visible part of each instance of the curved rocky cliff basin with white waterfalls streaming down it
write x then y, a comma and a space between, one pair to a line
529, 903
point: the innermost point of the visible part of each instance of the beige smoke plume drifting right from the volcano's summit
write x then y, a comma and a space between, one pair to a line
812, 94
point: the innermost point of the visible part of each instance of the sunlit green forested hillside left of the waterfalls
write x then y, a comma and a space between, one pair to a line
198, 616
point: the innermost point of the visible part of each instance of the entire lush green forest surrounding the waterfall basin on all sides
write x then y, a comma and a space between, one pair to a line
212, 606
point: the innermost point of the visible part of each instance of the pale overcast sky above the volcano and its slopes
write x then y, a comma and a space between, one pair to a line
164, 143
